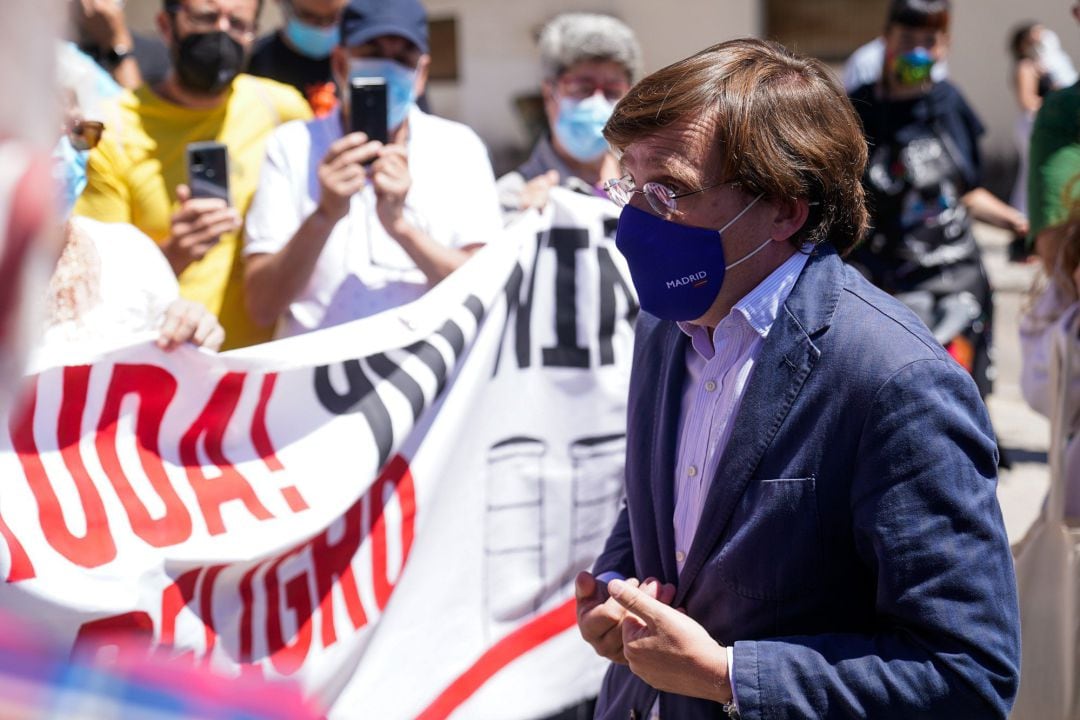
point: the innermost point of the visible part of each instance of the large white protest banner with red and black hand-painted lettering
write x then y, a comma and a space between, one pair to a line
389, 513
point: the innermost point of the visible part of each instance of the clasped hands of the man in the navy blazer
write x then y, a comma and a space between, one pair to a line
633, 623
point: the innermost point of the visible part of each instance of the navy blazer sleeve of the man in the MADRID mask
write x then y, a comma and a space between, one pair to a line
928, 526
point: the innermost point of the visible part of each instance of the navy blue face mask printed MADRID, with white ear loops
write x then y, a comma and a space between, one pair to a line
678, 269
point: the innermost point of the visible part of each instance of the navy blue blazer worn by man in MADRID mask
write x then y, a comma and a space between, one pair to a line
852, 547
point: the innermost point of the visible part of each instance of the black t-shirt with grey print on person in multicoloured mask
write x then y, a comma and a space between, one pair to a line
924, 157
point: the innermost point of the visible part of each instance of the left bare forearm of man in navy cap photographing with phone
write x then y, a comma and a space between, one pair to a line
274, 281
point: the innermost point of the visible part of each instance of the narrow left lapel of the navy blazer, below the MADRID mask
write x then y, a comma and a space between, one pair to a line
669, 402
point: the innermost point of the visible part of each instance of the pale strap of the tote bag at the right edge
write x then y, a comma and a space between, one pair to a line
1062, 350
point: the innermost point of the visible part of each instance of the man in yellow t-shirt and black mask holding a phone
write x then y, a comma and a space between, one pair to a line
139, 173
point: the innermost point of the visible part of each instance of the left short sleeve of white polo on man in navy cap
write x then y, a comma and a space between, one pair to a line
276, 214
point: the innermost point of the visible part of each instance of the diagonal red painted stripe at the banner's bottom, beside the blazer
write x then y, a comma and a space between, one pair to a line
525, 639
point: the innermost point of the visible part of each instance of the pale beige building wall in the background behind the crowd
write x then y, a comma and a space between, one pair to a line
498, 58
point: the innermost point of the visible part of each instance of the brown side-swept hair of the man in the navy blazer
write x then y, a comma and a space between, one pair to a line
782, 123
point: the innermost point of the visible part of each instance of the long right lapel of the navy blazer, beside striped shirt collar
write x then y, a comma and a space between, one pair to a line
784, 364
